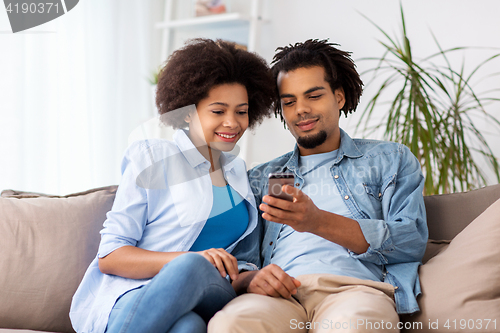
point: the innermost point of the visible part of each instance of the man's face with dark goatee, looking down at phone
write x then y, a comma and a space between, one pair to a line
311, 110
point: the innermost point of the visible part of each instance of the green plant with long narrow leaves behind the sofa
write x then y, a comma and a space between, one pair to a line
431, 108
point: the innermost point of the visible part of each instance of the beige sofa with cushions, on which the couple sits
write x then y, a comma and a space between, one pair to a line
48, 241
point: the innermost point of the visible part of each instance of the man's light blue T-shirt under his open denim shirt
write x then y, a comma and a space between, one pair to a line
300, 253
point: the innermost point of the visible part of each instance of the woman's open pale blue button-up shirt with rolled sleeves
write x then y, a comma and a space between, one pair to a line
163, 201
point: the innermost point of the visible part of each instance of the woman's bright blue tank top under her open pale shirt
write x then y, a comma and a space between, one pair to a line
227, 221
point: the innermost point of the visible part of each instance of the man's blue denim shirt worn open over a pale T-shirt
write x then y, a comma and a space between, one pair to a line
381, 183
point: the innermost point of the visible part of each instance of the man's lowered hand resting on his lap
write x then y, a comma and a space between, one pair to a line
273, 281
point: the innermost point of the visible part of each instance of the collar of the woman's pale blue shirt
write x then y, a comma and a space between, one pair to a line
193, 155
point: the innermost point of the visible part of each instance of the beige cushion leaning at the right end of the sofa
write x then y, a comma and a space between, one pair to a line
461, 284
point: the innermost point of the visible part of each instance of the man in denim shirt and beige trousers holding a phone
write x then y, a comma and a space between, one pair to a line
344, 255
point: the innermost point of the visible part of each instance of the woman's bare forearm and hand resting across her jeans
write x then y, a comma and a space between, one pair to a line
136, 263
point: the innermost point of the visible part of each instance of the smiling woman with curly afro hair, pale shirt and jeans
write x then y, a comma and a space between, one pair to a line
184, 207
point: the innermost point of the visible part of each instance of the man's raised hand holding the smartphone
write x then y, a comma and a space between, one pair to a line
301, 214
